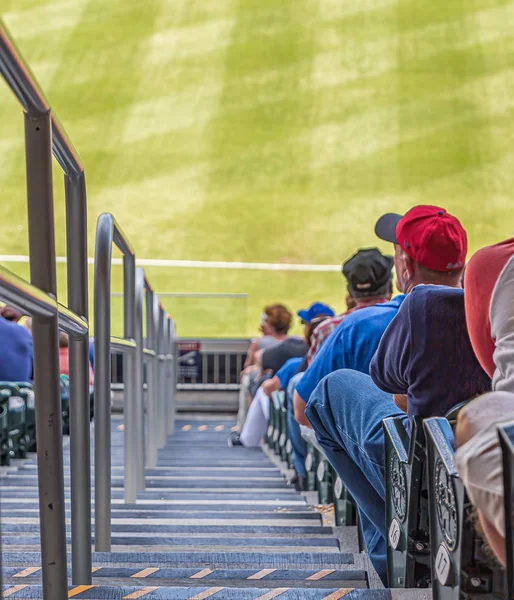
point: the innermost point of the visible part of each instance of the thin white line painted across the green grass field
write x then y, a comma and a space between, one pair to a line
194, 264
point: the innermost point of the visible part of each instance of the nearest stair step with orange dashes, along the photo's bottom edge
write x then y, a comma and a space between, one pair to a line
180, 593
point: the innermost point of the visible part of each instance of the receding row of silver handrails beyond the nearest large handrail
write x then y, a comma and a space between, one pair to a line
160, 412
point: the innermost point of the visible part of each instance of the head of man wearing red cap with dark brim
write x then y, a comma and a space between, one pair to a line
430, 246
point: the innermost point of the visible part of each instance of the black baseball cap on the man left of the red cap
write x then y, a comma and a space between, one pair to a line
367, 271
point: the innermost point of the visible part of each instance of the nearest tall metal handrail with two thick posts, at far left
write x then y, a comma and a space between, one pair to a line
43, 133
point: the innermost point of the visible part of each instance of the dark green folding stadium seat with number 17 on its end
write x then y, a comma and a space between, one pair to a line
462, 570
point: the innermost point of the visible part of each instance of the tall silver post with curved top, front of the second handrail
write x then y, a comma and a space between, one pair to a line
102, 328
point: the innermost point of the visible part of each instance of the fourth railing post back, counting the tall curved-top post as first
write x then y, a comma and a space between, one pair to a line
152, 388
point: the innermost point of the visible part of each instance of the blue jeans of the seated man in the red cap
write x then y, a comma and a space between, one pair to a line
346, 411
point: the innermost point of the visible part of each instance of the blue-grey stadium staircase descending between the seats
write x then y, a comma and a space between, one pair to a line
215, 522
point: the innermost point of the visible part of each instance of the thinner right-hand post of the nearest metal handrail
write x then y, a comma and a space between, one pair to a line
80, 464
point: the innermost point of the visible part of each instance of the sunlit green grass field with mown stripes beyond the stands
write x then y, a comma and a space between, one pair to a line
268, 130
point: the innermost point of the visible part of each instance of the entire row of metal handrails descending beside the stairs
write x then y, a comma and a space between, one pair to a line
44, 135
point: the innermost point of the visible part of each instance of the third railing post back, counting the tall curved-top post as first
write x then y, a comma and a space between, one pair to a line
138, 381
